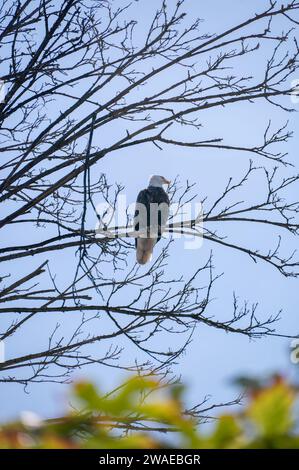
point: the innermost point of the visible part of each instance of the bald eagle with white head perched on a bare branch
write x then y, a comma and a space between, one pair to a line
151, 215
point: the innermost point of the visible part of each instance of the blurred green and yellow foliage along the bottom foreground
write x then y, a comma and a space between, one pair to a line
143, 410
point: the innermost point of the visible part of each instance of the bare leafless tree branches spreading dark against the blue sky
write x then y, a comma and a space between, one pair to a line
74, 69
